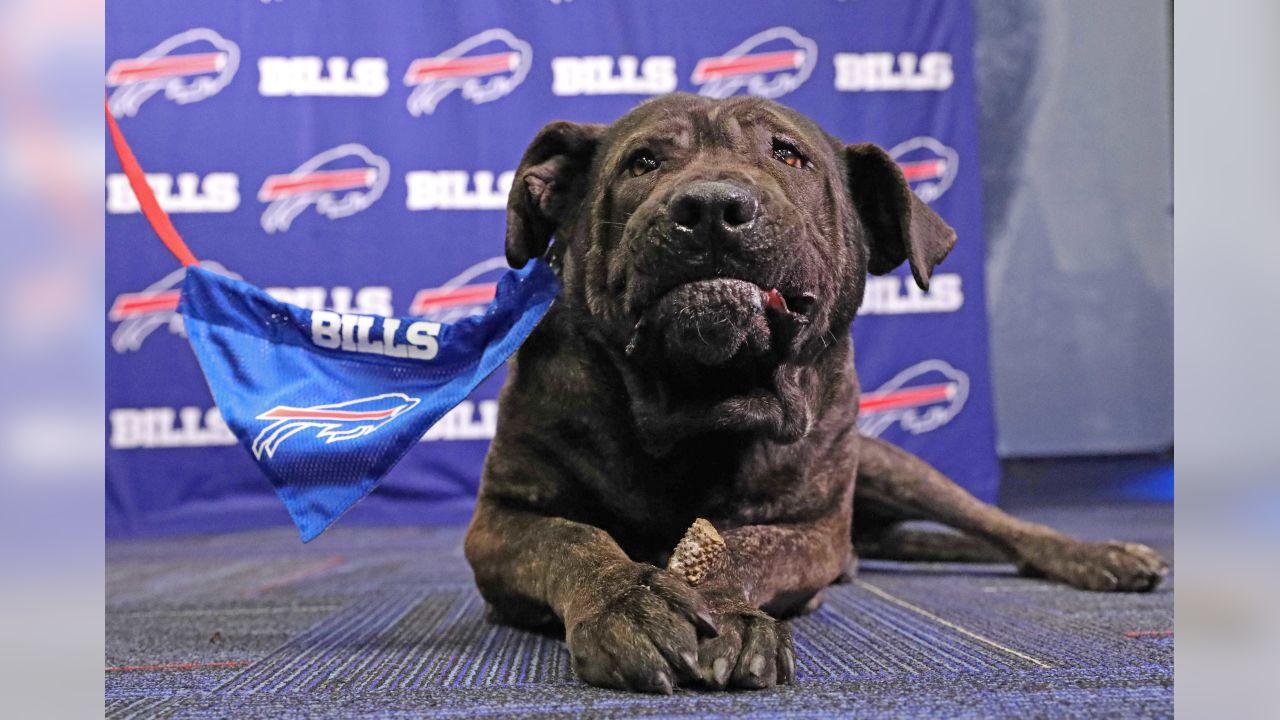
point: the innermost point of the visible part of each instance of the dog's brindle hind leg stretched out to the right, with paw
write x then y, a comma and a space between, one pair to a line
915, 490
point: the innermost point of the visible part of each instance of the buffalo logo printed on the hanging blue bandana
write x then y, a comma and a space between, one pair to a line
333, 423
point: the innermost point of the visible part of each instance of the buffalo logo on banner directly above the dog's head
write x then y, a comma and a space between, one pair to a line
769, 65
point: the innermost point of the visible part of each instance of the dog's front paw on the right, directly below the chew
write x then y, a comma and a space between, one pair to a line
752, 650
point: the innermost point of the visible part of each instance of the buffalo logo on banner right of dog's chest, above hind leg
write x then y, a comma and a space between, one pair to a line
921, 399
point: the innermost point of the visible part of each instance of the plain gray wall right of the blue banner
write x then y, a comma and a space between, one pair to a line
1076, 102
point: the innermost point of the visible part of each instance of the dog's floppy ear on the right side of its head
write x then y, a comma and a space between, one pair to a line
899, 225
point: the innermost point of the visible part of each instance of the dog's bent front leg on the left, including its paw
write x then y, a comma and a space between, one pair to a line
628, 626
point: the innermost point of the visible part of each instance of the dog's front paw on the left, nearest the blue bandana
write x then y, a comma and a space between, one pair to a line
644, 636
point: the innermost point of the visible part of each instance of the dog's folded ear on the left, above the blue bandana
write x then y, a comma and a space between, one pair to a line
550, 184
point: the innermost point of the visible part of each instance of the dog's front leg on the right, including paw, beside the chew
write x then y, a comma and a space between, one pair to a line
767, 569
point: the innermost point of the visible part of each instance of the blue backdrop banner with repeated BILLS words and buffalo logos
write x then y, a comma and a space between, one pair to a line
356, 157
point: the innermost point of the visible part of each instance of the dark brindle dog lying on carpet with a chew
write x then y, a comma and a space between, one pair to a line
698, 364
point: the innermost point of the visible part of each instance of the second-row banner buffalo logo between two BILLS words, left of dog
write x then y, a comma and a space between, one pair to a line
340, 183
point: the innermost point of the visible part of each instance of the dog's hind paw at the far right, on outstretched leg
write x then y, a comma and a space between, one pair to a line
1107, 567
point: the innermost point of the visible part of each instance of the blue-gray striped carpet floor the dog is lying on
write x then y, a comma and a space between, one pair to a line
386, 622
